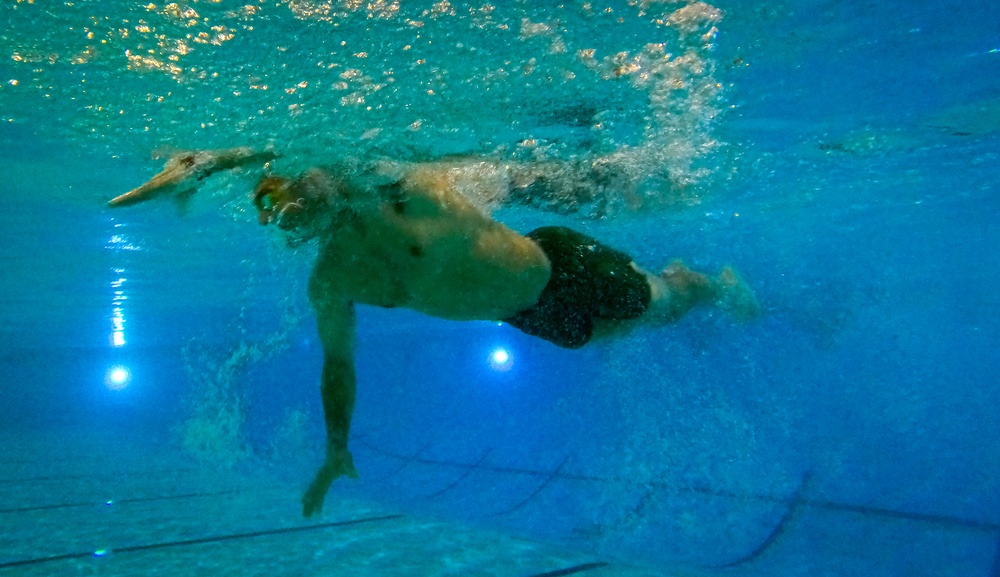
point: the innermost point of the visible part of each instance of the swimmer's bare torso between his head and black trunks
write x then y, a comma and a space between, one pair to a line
418, 244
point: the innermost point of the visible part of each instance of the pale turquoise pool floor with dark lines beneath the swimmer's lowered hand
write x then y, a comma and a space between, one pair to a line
77, 505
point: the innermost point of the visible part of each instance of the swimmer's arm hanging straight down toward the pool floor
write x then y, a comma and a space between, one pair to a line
335, 320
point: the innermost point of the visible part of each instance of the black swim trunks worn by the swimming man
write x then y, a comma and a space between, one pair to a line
589, 281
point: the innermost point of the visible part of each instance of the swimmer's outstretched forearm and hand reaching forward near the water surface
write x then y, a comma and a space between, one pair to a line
185, 170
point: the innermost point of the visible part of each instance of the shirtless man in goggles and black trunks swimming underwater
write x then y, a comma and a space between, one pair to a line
419, 236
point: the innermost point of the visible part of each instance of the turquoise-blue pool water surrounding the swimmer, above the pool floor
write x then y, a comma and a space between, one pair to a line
842, 155
